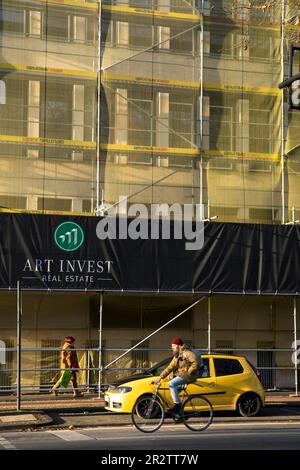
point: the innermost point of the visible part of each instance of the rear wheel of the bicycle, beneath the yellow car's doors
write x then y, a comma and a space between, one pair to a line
197, 413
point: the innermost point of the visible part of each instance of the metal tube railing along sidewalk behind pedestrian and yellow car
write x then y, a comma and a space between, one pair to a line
45, 370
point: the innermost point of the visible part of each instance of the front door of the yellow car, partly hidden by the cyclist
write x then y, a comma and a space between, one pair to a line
206, 384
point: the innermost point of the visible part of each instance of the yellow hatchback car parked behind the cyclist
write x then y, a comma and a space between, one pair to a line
229, 382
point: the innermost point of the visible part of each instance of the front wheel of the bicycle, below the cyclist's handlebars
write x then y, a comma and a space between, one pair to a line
148, 414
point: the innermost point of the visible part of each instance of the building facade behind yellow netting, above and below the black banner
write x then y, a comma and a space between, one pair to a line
189, 112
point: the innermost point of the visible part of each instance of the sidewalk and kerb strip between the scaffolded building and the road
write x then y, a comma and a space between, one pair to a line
39, 411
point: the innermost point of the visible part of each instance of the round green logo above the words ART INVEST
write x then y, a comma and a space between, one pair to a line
69, 236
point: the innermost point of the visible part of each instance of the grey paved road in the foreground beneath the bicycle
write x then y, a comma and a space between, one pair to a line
260, 436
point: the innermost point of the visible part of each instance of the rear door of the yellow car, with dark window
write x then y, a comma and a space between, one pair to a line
230, 378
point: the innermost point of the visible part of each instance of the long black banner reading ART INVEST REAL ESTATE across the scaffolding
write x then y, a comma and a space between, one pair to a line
60, 252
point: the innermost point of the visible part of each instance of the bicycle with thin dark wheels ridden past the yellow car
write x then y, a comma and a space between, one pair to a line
148, 413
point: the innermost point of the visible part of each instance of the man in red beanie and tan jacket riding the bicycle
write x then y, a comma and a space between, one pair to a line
186, 365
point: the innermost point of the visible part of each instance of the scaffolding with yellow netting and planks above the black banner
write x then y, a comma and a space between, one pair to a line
185, 96
